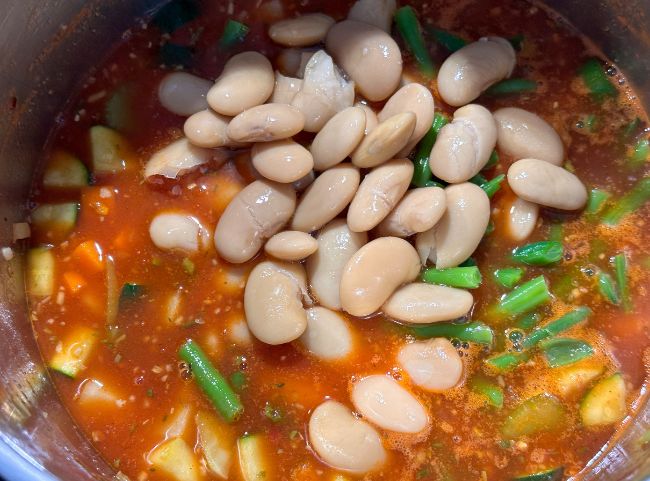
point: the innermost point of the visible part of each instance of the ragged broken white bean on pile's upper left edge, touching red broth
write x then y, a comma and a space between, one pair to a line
175, 159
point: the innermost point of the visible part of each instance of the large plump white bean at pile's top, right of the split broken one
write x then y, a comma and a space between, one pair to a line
369, 55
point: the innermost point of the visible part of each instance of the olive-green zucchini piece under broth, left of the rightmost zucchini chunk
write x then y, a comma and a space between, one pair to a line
540, 413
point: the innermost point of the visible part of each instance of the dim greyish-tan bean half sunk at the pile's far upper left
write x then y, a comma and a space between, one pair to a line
183, 94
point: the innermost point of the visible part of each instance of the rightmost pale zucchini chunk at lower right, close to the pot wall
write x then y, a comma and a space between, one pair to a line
605, 403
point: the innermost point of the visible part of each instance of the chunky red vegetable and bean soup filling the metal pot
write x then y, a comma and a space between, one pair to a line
385, 243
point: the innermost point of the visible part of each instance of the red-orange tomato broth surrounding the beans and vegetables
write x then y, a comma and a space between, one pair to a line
150, 395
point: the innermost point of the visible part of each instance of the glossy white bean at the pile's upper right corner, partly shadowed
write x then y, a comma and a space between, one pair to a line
469, 71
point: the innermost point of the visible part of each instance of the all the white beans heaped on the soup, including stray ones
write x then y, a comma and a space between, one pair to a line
356, 160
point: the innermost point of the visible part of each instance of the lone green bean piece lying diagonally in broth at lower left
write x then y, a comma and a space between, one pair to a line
213, 384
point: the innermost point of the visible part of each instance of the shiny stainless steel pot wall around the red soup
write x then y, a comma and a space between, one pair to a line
45, 48
